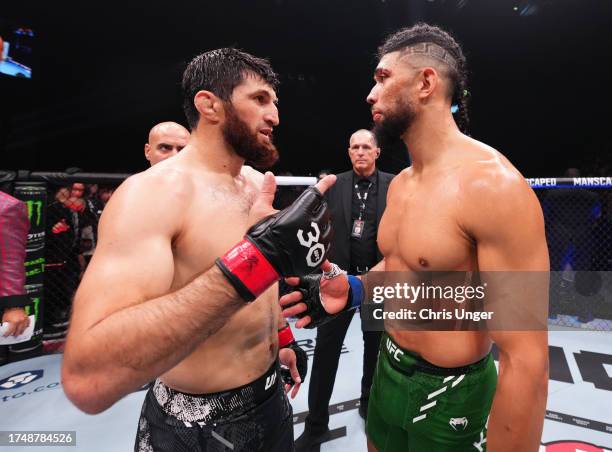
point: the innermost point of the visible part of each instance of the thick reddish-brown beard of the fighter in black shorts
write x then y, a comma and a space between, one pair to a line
245, 142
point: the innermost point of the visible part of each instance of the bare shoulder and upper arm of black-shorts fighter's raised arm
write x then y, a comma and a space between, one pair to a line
133, 261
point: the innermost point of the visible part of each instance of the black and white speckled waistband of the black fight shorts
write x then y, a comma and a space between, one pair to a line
204, 409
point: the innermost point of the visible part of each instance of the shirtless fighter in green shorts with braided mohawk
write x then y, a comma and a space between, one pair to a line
460, 207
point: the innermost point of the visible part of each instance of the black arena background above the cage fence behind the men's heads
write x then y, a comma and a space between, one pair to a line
107, 71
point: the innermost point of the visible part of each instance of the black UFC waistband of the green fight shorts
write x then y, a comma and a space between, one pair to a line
407, 362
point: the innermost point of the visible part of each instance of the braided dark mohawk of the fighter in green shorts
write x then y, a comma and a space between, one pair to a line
453, 59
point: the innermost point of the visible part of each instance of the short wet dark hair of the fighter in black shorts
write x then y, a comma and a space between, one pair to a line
220, 71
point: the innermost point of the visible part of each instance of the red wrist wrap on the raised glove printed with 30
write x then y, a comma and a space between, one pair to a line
246, 262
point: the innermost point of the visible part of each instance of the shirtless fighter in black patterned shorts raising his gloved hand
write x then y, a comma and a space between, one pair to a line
163, 297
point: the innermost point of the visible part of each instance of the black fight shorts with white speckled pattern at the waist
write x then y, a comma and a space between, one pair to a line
253, 417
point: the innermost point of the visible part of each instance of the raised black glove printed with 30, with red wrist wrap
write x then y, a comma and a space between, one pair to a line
292, 242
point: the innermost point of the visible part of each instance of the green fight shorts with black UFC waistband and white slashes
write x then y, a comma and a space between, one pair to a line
418, 407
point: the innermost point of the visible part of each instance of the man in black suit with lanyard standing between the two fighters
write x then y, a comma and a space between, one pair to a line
357, 201
